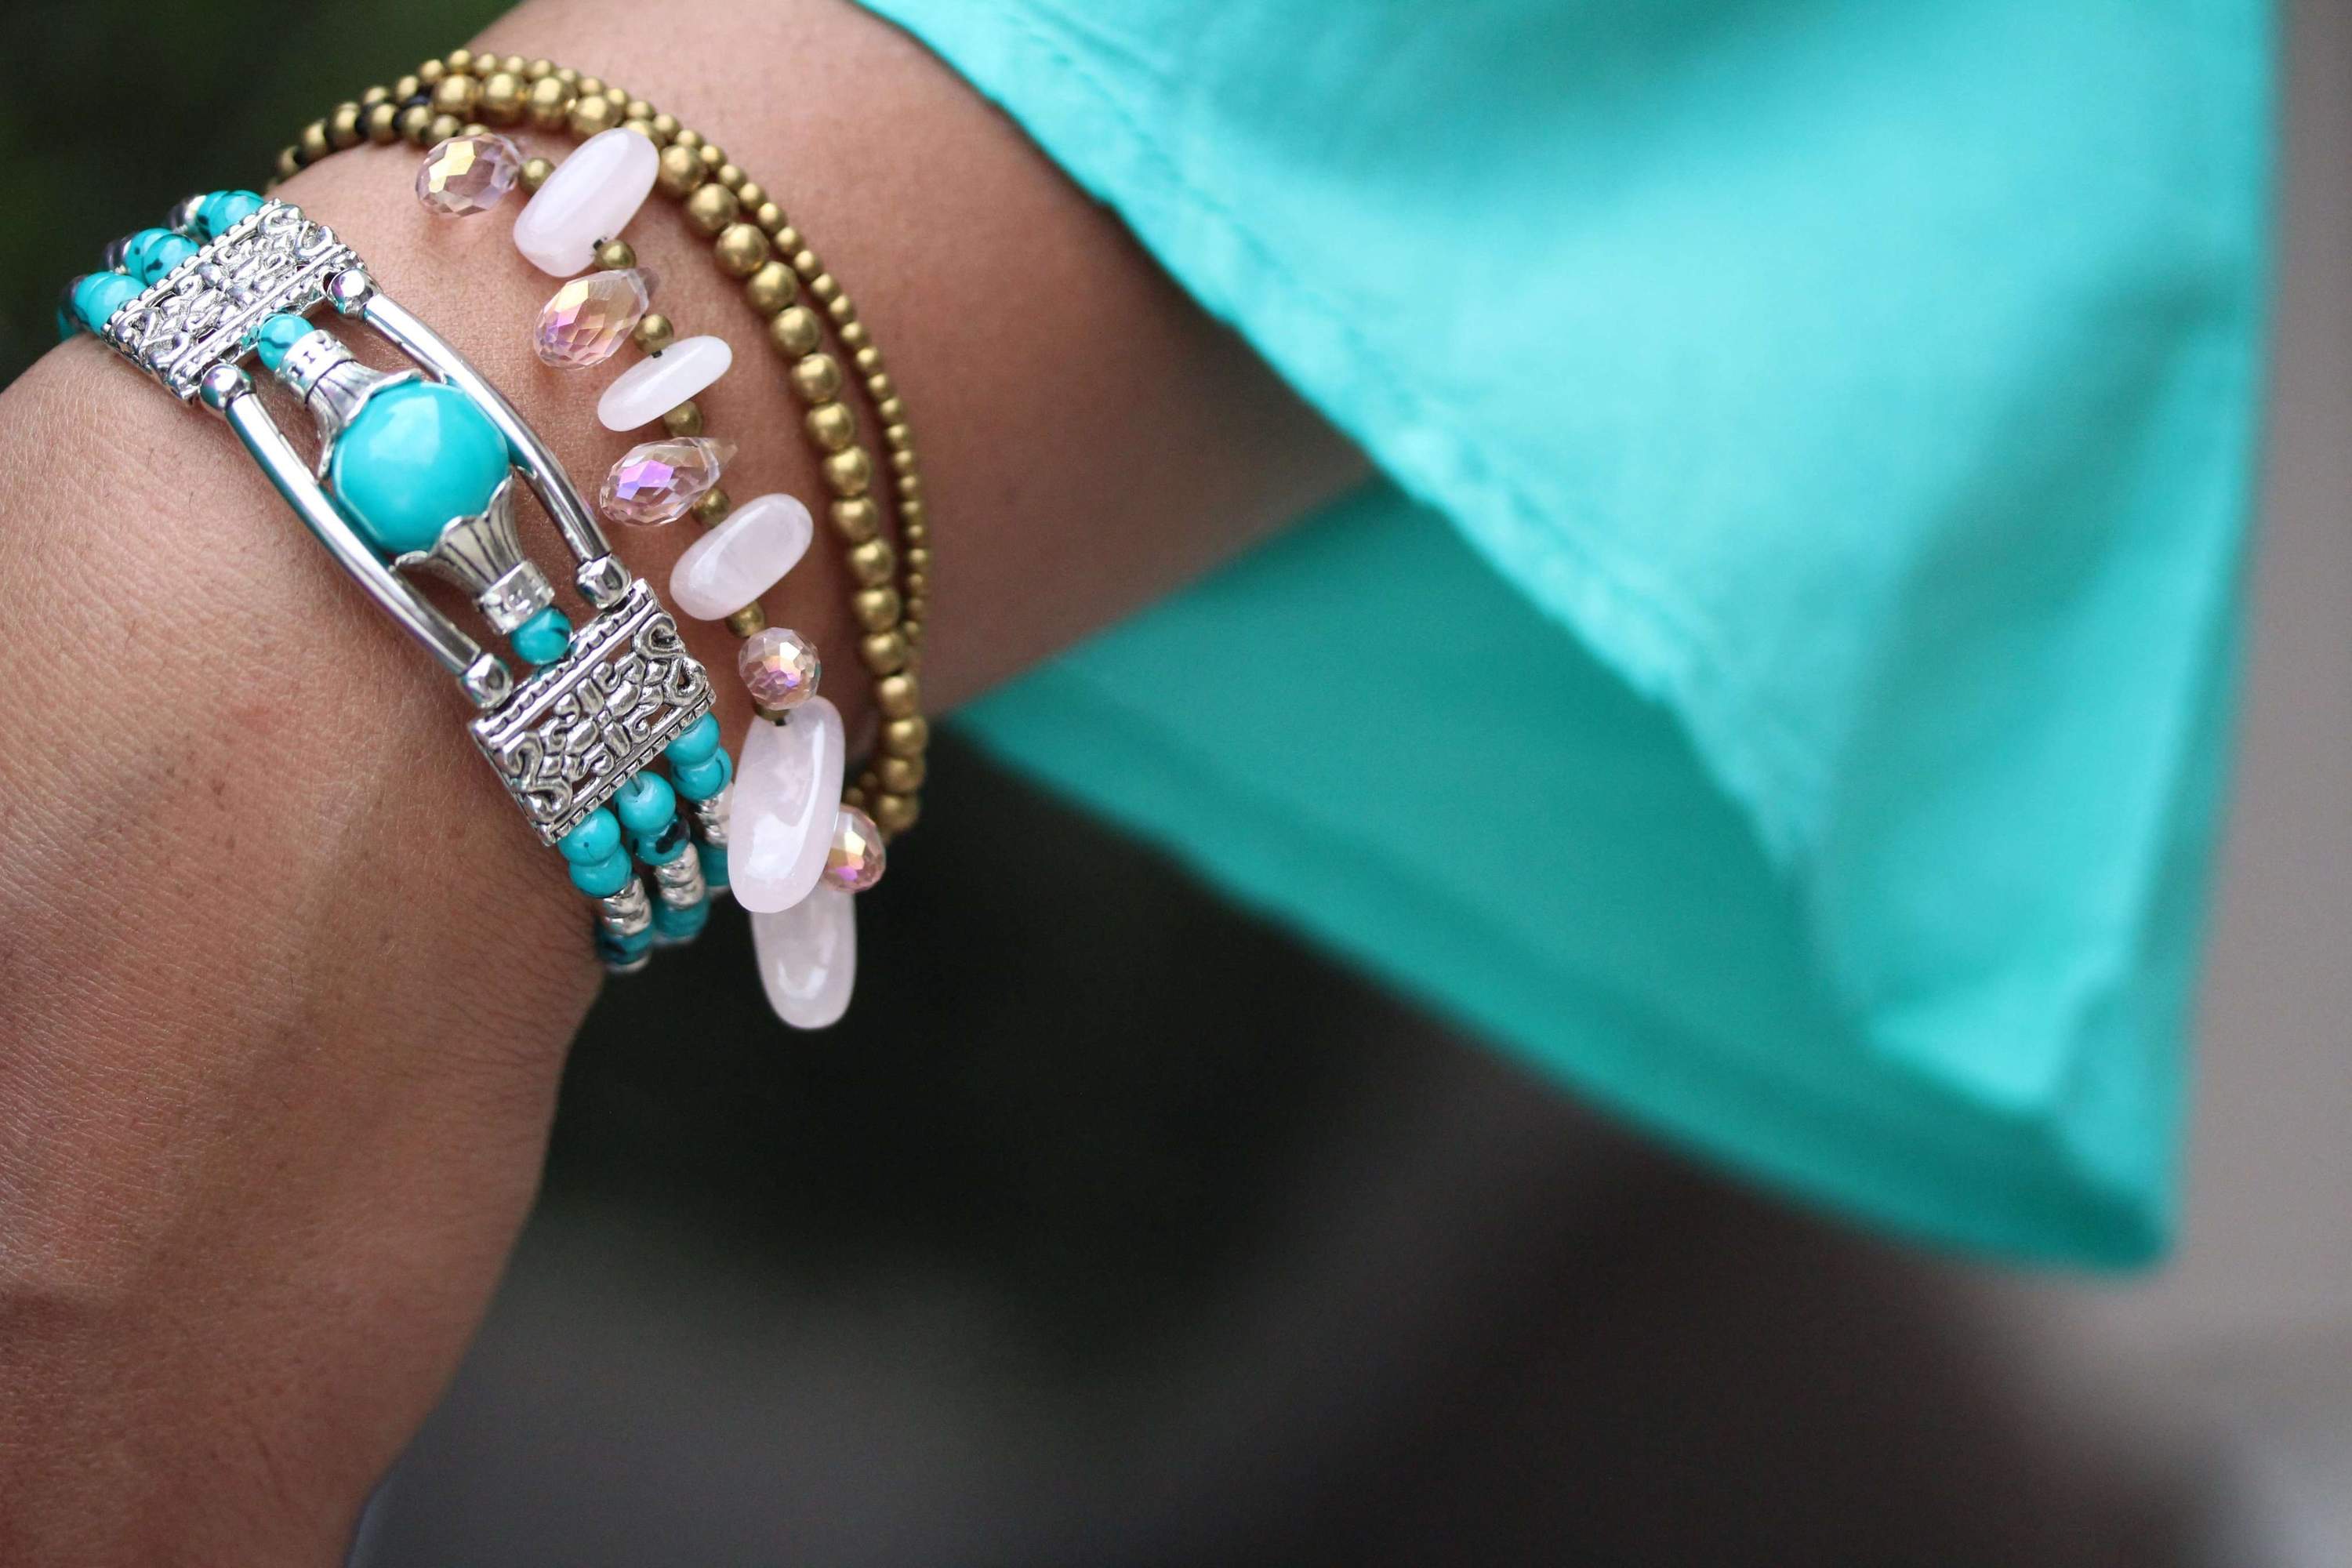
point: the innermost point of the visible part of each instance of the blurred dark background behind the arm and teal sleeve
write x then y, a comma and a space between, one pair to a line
1116, 1228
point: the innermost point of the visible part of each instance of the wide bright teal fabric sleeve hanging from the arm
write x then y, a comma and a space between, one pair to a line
1782, 676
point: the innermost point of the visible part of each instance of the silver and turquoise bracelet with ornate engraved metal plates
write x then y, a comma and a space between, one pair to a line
417, 474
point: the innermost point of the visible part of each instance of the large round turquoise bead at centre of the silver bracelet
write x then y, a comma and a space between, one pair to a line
413, 460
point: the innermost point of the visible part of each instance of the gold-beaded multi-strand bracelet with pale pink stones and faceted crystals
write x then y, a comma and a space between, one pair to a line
791, 772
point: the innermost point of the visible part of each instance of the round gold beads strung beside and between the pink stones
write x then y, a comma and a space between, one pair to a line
754, 243
